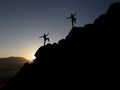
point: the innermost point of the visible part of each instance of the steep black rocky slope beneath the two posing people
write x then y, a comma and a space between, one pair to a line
86, 58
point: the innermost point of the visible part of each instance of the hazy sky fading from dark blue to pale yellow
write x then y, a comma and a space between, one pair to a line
23, 21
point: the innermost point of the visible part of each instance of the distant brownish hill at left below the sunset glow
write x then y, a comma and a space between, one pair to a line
9, 67
